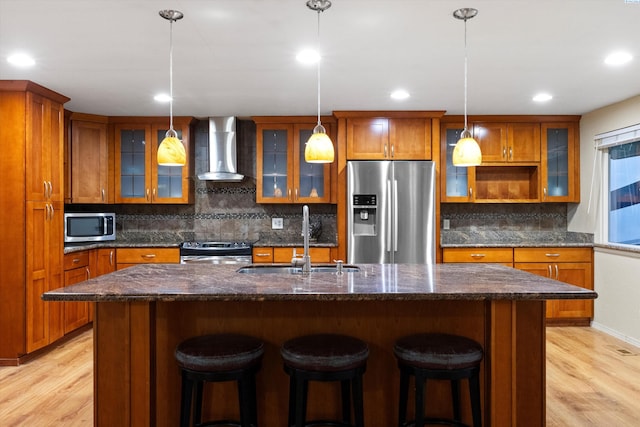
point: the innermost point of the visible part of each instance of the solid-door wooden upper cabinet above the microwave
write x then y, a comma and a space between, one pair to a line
90, 160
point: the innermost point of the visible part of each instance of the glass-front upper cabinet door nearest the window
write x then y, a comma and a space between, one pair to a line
559, 154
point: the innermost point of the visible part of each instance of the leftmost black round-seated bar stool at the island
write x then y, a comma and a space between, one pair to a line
217, 358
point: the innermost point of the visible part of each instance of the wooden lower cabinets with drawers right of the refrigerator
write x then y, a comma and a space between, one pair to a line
566, 264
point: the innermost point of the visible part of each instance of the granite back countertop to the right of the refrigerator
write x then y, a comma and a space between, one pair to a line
513, 239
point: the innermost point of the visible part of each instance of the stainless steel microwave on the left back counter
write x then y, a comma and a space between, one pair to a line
89, 227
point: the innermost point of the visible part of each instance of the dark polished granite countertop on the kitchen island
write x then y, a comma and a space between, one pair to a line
207, 282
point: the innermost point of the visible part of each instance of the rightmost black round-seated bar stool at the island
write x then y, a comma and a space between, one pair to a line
442, 357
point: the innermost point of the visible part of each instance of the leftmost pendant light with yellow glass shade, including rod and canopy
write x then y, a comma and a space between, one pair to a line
171, 152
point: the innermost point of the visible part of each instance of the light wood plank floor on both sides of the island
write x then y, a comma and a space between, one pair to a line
593, 379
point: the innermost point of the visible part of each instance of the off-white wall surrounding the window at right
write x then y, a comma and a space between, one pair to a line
616, 273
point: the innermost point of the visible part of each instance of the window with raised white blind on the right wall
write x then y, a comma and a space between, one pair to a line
623, 201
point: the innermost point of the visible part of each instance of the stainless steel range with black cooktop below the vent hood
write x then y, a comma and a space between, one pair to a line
216, 252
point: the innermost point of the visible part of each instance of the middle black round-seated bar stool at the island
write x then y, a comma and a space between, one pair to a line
325, 357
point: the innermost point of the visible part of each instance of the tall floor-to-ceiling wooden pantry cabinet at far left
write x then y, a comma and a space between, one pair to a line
31, 220
